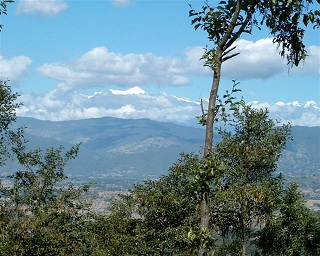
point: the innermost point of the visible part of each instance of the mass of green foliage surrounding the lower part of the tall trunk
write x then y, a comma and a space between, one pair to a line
161, 217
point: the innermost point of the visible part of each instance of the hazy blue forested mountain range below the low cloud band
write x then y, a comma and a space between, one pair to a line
122, 151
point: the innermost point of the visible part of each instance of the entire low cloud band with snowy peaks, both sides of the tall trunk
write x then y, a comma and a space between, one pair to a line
159, 107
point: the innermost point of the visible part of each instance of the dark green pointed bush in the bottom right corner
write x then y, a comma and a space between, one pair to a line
293, 230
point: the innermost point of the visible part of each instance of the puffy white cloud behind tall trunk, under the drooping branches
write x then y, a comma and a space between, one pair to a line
257, 60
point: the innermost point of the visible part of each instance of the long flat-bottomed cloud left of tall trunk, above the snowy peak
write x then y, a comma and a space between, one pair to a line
100, 67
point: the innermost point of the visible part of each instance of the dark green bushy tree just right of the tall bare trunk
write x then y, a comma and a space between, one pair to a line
248, 190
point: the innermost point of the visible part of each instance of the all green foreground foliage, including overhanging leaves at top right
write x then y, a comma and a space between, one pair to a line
251, 211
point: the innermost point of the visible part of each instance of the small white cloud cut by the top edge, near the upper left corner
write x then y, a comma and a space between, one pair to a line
45, 7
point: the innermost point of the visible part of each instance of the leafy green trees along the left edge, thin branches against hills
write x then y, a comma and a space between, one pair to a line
40, 214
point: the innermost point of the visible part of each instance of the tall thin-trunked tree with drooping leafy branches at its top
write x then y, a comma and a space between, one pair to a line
228, 21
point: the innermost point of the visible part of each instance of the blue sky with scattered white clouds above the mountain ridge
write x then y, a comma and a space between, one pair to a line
58, 54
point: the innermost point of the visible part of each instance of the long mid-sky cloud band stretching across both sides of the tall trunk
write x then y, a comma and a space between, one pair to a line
100, 67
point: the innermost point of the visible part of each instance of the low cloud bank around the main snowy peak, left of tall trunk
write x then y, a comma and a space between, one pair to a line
160, 107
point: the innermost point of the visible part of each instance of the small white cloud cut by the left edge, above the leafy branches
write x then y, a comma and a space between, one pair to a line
14, 68
